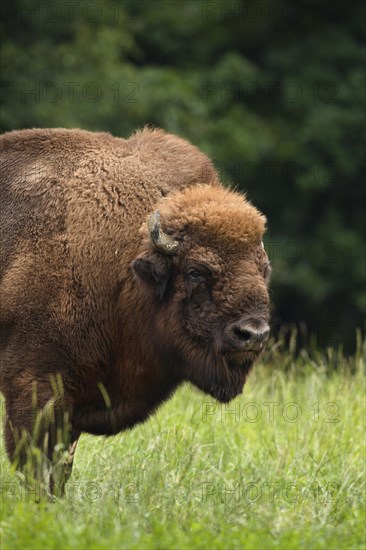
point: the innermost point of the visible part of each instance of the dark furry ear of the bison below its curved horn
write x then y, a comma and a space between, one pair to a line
154, 269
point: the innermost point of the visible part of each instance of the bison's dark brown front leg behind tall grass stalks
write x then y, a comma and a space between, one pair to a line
40, 441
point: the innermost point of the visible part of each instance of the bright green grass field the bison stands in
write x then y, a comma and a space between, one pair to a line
281, 467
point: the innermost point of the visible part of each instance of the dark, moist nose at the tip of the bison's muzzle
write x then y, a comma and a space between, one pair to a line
247, 335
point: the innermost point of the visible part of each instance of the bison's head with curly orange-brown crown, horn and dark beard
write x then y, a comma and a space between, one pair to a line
204, 274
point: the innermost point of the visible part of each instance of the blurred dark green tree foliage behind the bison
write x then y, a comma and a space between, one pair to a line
273, 91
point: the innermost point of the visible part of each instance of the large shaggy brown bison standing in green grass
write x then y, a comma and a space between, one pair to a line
127, 269
